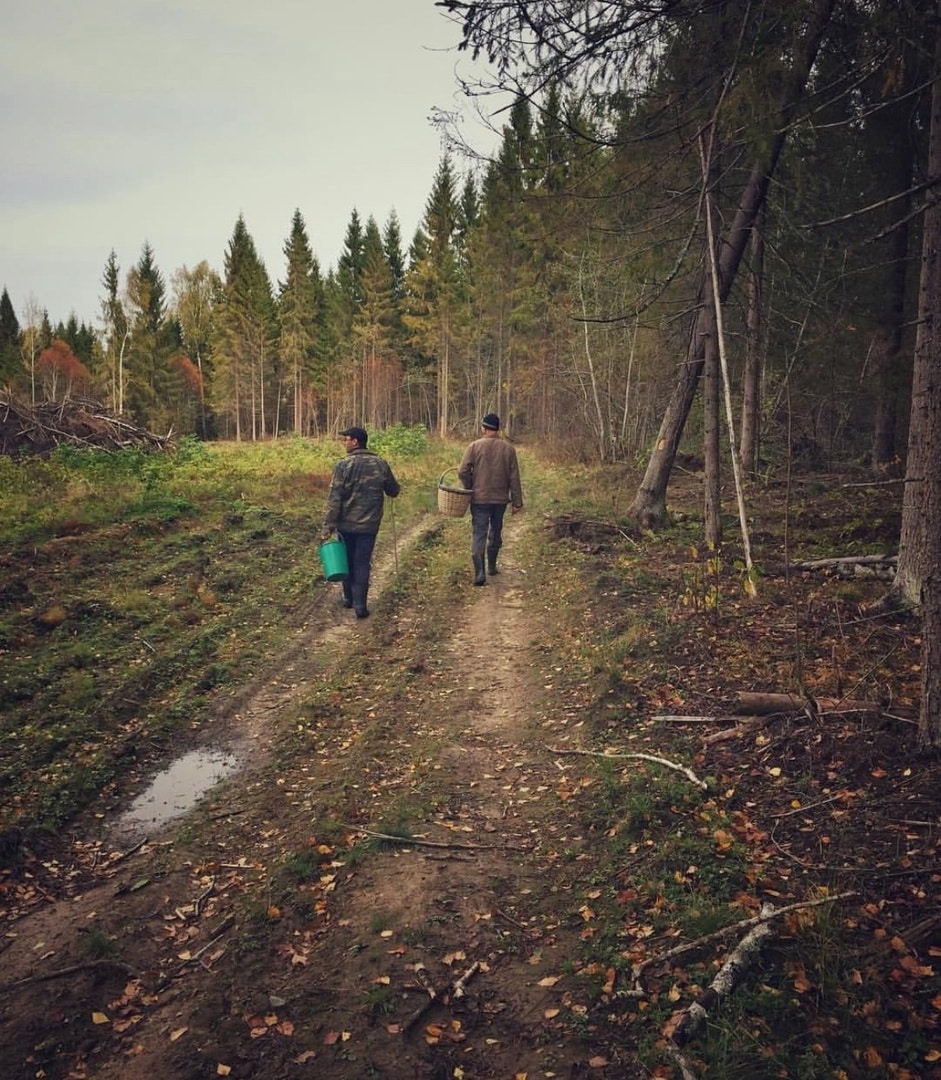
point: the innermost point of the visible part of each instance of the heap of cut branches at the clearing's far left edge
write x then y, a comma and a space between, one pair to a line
77, 422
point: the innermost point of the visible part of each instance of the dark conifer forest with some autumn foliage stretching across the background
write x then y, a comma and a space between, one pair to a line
562, 283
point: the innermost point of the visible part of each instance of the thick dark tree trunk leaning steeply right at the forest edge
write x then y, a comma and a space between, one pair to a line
650, 504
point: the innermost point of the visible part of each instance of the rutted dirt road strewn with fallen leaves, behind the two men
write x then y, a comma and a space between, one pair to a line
254, 939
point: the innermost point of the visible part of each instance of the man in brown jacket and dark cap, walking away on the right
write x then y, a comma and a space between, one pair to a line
490, 469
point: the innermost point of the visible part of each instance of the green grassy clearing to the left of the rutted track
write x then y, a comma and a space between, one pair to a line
138, 587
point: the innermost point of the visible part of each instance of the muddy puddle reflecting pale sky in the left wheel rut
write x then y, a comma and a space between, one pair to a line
177, 791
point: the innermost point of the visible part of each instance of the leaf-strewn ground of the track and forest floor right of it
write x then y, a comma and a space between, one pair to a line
451, 853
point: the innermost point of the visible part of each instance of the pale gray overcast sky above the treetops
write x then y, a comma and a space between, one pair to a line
125, 121
